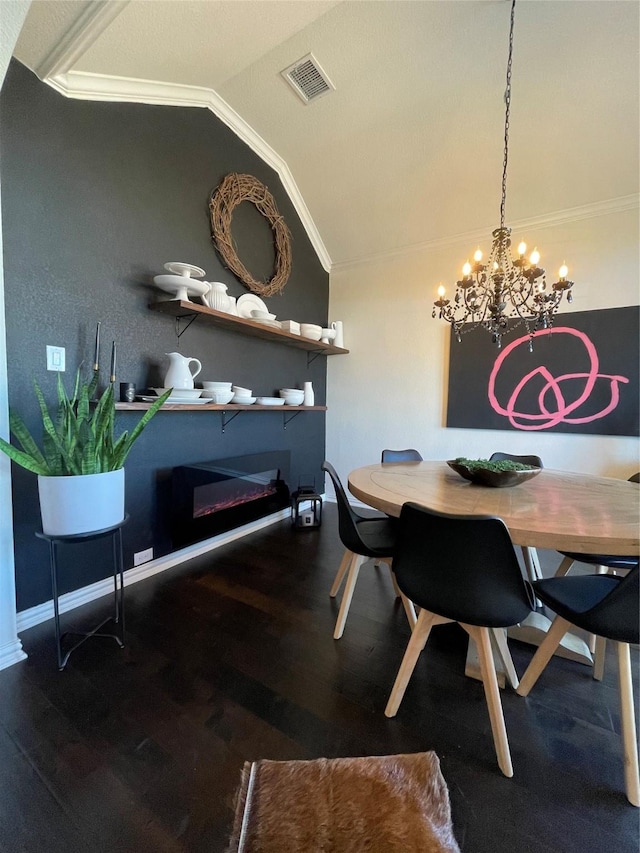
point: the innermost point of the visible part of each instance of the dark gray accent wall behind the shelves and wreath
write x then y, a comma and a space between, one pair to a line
96, 197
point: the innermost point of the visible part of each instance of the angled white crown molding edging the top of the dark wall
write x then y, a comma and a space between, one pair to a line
101, 87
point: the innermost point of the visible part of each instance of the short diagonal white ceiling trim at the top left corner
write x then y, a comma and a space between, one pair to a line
91, 23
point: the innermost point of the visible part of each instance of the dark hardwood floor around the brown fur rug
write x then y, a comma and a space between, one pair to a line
230, 658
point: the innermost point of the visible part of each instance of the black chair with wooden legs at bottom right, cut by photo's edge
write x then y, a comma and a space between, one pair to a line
606, 606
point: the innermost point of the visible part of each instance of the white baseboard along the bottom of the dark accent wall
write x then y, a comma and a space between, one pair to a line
77, 597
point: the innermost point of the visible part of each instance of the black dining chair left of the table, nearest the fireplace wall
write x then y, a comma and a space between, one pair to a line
364, 538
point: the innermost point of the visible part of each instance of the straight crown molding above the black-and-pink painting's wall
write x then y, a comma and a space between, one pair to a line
547, 220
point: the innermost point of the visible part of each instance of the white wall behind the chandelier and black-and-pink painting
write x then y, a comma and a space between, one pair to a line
391, 390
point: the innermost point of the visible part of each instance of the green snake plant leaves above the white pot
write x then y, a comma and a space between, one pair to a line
80, 437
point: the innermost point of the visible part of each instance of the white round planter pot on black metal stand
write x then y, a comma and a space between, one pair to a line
81, 504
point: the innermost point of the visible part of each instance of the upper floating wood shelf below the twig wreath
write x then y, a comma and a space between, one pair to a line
184, 309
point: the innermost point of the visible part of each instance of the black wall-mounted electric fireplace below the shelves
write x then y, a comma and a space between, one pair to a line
212, 497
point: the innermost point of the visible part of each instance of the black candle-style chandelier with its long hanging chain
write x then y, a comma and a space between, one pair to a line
502, 289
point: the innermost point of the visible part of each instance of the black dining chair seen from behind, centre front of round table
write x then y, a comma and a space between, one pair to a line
461, 568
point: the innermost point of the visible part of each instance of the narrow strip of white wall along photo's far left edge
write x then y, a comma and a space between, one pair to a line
12, 17
